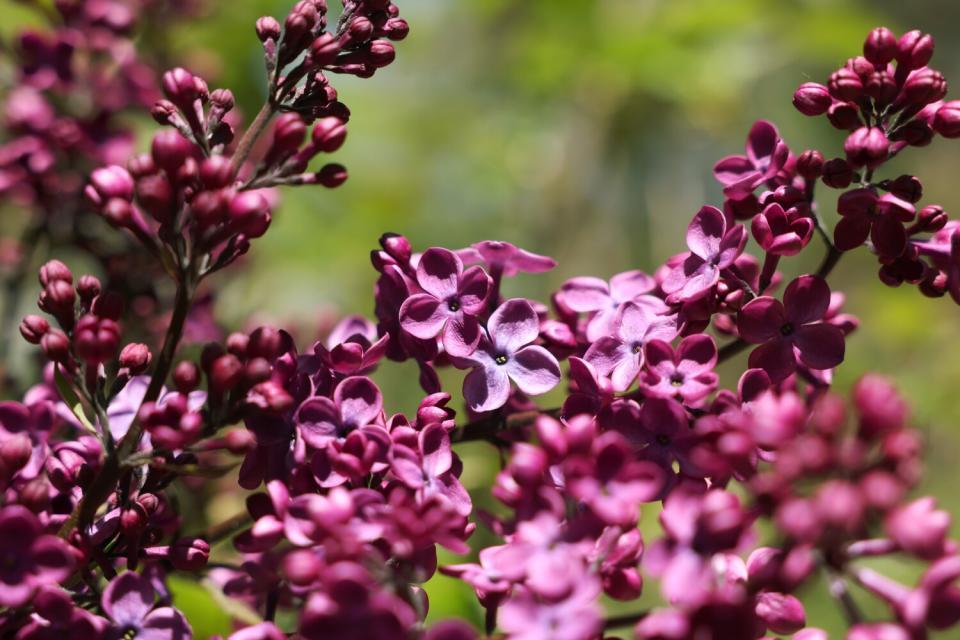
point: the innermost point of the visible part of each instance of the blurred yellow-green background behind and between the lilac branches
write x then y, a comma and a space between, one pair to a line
586, 131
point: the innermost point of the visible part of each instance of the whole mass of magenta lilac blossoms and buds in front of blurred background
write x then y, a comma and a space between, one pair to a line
760, 488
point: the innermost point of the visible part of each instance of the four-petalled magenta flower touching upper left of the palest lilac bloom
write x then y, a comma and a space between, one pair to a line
451, 301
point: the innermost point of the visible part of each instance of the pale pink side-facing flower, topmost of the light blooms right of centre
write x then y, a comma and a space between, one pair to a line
593, 295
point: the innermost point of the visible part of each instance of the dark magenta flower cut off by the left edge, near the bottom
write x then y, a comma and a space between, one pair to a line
29, 558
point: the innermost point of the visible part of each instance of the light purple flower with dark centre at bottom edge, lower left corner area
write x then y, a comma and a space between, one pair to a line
129, 602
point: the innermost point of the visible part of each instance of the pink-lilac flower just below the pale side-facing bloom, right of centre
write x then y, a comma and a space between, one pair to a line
620, 356
